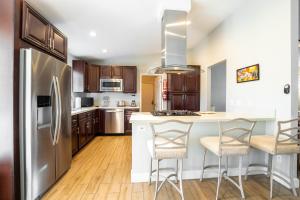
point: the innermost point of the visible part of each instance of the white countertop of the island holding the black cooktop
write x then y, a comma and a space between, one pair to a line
204, 117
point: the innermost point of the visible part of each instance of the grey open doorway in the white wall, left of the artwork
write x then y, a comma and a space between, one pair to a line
217, 87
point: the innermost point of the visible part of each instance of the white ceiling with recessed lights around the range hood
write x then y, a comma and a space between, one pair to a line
130, 27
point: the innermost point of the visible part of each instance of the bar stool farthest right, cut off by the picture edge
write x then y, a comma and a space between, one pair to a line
285, 142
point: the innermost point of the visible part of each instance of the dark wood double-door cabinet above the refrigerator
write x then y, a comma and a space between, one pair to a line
39, 32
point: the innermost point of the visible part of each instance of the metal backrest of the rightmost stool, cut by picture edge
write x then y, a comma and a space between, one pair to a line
288, 133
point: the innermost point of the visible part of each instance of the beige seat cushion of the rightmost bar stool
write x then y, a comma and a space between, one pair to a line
266, 143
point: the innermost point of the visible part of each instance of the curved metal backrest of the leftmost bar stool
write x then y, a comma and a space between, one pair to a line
171, 134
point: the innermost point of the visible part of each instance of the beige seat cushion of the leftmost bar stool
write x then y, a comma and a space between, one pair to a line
168, 152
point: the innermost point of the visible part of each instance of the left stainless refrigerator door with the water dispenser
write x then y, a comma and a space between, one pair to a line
38, 109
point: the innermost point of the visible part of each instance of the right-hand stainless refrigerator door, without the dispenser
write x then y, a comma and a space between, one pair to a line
63, 139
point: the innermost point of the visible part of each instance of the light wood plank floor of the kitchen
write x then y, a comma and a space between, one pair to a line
102, 171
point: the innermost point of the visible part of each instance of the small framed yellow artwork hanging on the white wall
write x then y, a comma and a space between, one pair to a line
246, 74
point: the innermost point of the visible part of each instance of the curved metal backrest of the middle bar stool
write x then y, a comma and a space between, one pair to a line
236, 132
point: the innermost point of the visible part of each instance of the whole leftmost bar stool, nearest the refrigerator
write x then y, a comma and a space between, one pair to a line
170, 141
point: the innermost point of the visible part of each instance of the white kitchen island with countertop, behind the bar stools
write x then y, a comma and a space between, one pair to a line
206, 124
